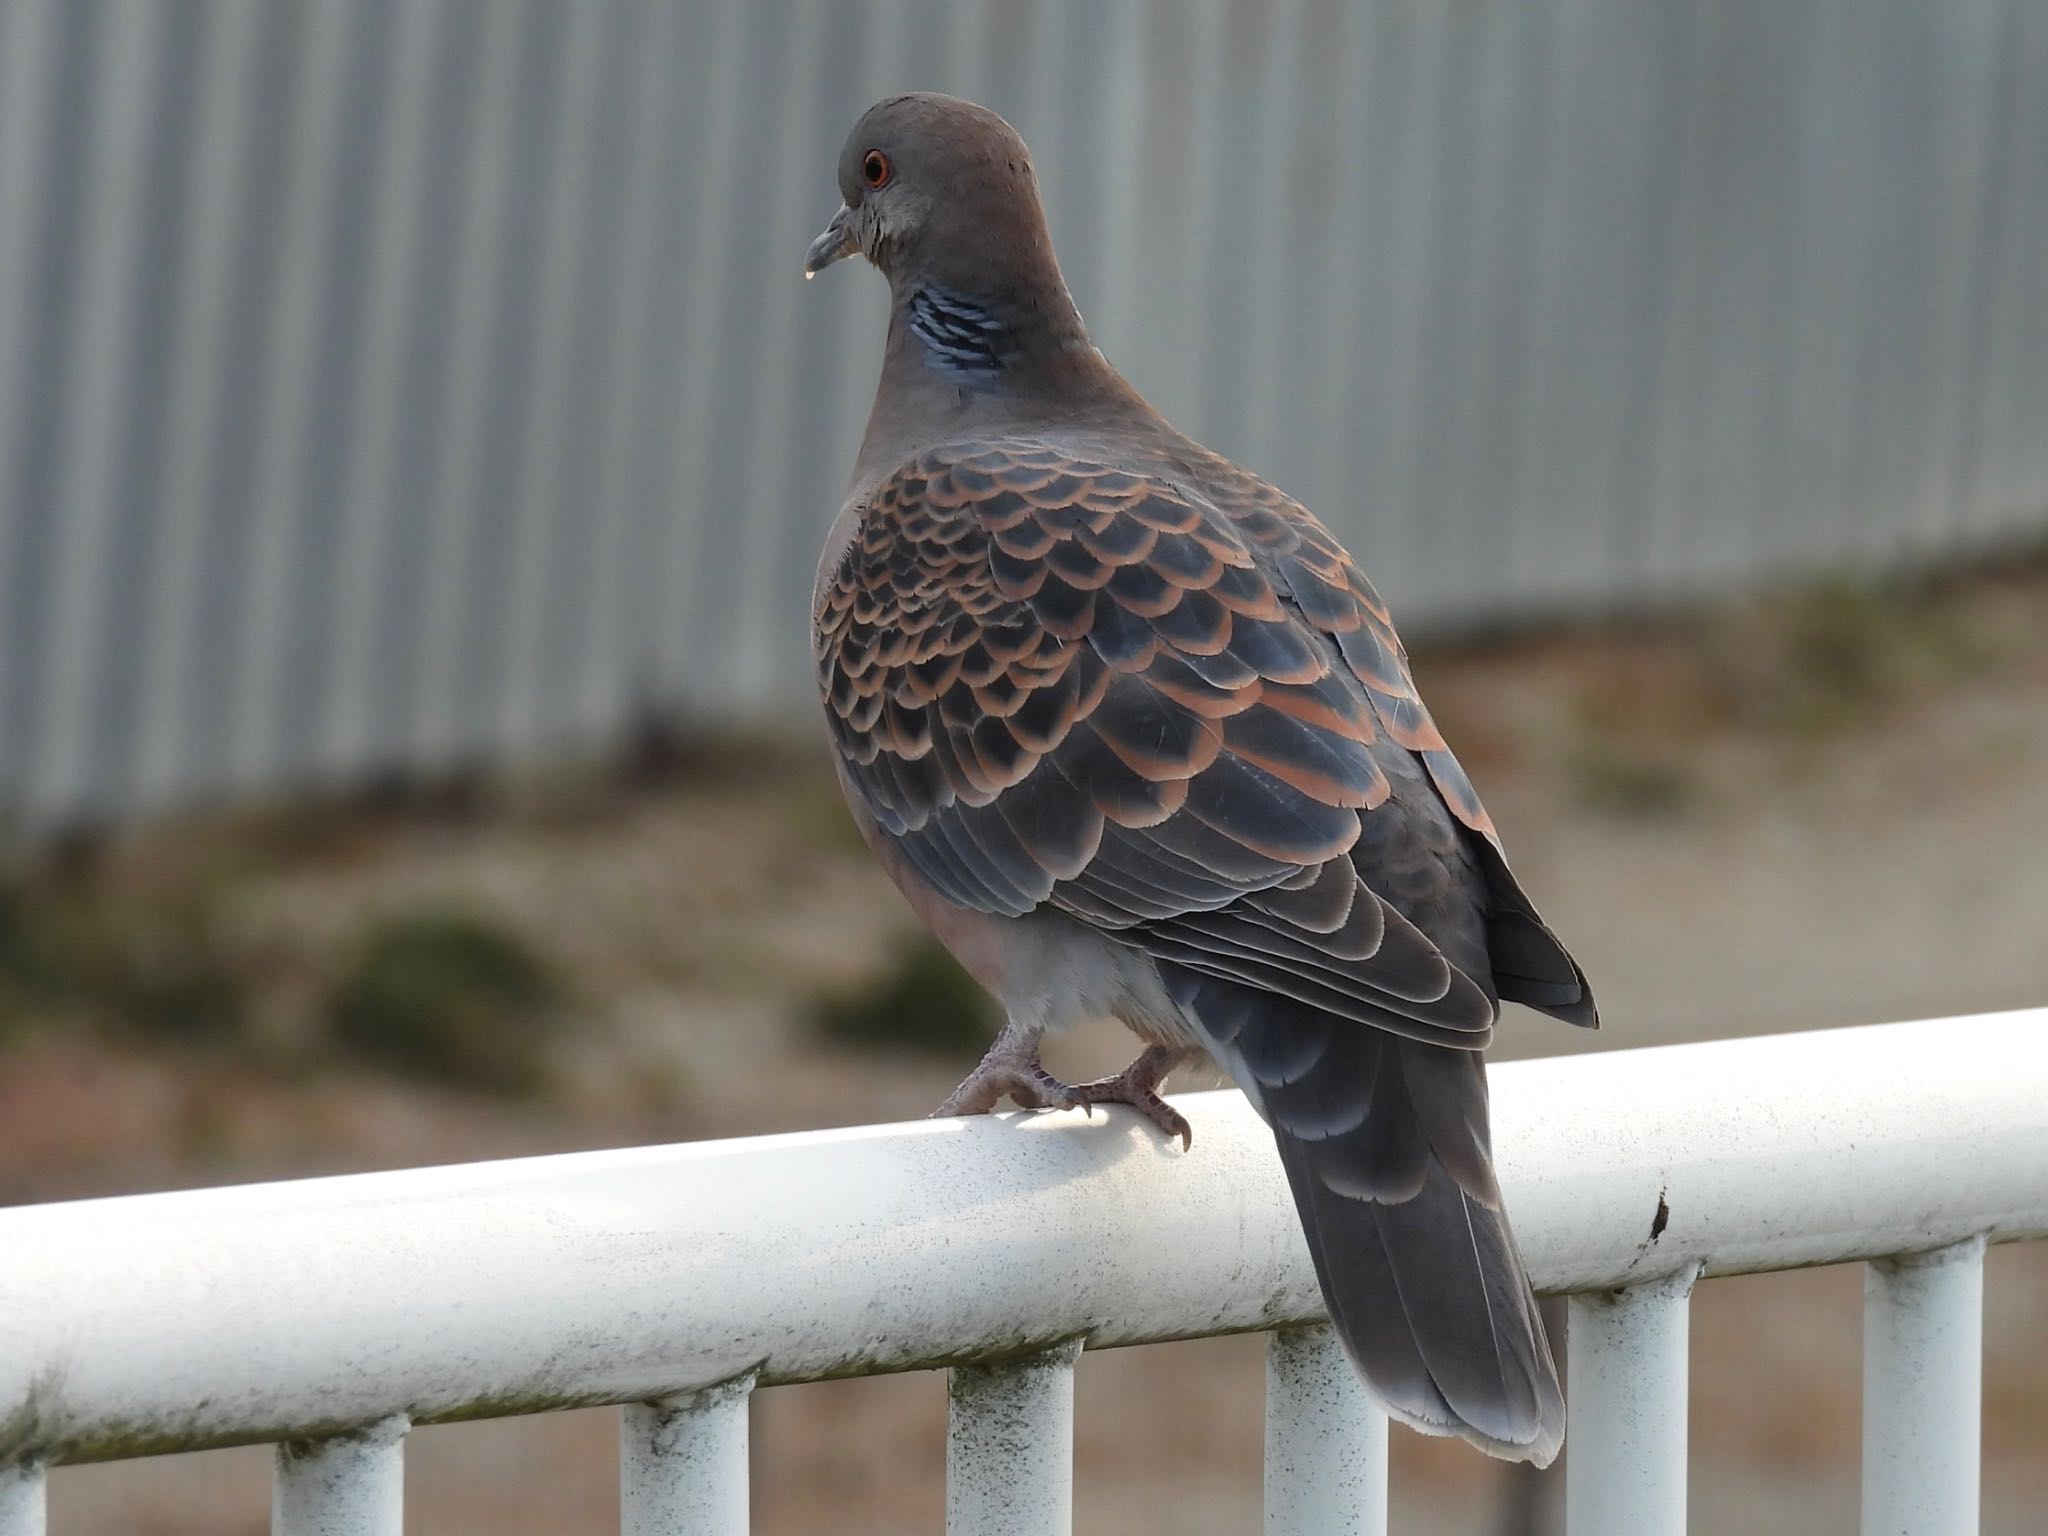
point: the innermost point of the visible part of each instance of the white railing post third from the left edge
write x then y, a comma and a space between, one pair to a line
683, 1463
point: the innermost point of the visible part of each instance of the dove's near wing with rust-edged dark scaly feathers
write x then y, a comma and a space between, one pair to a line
1060, 683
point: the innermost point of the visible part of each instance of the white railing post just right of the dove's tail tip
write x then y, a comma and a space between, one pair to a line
1627, 1467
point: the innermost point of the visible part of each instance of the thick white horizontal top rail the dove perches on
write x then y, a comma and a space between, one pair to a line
286, 1312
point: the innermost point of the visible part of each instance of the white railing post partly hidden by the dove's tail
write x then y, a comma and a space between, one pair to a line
1326, 1441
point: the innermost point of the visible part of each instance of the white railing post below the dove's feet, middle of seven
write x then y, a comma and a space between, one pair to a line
1011, 1447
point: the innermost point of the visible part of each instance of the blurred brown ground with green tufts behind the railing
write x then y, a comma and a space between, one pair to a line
1828, 808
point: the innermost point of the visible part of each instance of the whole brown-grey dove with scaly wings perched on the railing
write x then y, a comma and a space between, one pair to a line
1136, 738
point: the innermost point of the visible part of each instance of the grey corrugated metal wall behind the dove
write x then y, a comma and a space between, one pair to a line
388, 384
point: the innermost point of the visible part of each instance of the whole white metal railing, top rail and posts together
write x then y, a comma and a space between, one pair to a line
331, 1316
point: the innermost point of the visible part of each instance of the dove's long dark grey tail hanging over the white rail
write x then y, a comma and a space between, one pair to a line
1385, 1146
